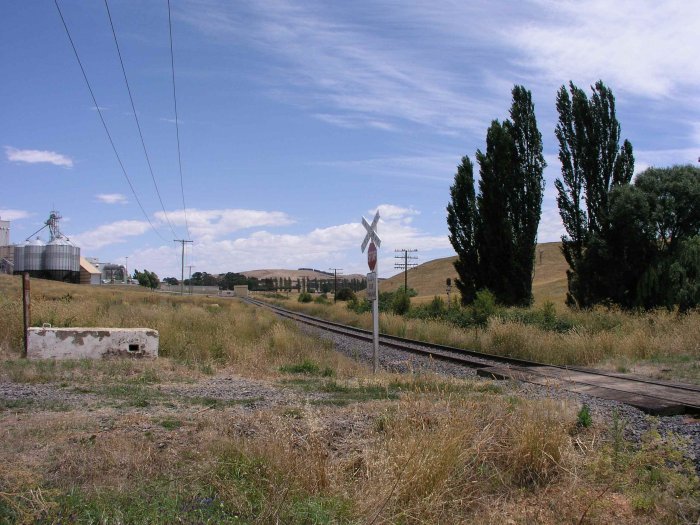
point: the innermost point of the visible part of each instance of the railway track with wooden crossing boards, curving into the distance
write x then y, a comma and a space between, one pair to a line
663, 398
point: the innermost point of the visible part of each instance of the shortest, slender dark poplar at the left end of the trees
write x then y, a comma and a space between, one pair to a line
461, 223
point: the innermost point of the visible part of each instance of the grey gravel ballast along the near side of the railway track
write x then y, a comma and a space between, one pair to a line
635, 422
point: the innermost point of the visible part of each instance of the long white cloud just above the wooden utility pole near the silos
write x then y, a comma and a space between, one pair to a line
206, 225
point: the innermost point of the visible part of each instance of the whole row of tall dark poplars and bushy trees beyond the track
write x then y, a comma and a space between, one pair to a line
635, 244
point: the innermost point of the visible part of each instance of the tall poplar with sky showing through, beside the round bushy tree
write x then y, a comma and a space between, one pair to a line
592, 165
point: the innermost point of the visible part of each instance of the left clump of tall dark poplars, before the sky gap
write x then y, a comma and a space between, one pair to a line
495, 234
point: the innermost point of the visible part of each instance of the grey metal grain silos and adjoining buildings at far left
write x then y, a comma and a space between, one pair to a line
58, 259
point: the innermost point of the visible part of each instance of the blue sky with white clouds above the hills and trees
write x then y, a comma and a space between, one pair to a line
298, 118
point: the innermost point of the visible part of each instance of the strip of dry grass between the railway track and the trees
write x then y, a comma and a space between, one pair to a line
645, 343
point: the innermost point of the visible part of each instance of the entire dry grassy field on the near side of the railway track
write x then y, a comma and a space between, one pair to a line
246, 419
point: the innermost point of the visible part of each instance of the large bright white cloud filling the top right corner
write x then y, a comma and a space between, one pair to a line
643, 47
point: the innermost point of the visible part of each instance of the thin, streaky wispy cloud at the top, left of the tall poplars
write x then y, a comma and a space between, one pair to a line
371, 77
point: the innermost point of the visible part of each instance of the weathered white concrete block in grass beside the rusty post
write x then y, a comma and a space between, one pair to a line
91, 343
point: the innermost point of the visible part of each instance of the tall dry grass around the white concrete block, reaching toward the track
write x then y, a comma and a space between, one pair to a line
194, 332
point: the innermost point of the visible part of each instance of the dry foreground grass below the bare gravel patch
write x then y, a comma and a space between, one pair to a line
423, 459
